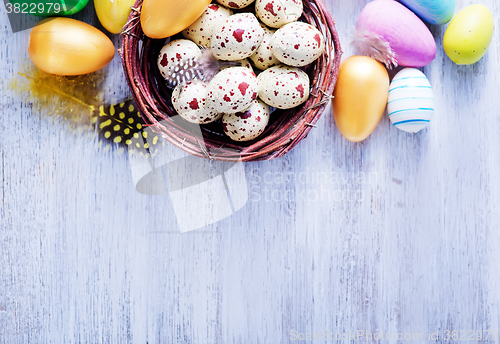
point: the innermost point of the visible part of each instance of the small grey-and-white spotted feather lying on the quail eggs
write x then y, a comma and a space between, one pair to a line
203, 68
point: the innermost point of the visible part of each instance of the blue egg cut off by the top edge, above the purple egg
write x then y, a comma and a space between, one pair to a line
437, 12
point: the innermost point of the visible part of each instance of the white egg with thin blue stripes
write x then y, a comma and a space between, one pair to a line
411, 101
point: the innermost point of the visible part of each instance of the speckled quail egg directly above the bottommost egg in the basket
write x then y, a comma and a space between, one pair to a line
232, 90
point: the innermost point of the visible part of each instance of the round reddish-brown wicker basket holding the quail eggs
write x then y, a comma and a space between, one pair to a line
286, 127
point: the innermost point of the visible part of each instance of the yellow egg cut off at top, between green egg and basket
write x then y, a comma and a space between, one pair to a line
113, 14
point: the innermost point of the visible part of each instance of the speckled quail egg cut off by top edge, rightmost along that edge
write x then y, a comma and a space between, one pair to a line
276, 13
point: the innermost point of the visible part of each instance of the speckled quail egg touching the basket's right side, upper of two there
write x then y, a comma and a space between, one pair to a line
297, 44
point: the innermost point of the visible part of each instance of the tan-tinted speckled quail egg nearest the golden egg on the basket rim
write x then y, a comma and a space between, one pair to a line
202, 29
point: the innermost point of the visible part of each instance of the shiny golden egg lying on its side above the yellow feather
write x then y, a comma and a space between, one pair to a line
66, 46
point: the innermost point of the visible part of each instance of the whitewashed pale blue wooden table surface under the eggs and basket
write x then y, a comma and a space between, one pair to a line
401, 236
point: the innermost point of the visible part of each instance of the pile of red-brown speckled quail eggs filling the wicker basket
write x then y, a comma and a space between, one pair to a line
272, 41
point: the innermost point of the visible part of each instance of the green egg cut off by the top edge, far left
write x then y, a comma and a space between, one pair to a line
48, 8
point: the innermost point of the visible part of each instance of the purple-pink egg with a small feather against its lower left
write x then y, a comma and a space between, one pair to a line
392, 34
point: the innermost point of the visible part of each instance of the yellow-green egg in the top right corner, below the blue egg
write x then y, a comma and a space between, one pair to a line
469, 35
